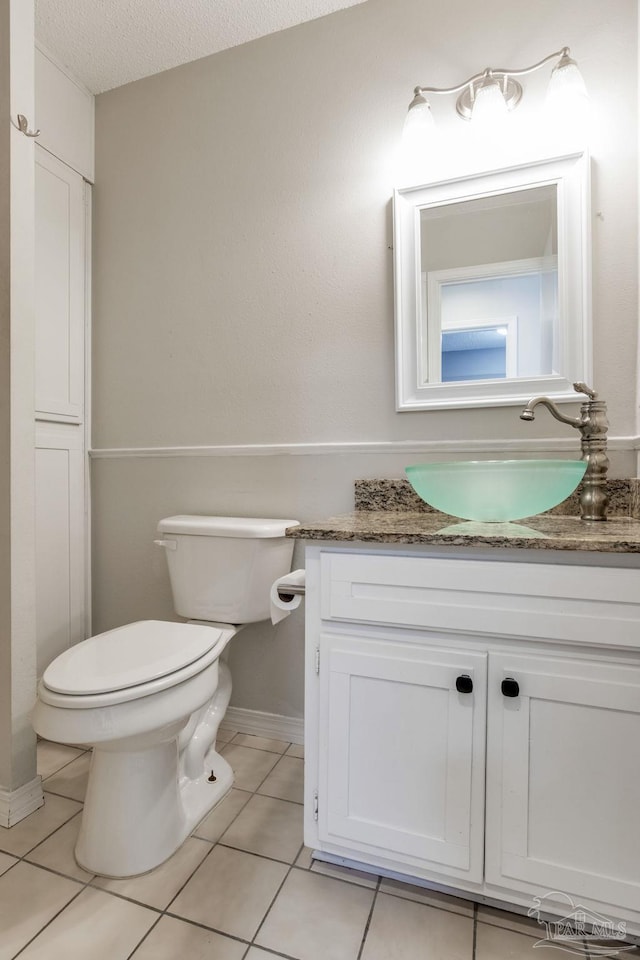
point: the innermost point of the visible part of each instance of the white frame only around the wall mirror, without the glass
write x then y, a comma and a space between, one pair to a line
573, 349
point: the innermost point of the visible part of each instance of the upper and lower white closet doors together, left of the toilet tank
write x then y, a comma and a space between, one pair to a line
60, 455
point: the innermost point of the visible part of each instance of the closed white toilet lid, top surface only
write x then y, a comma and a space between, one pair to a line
127, 656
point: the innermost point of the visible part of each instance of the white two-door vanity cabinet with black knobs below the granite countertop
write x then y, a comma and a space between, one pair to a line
475, 724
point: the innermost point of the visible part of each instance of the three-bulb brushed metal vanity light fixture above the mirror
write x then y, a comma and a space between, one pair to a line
488, 96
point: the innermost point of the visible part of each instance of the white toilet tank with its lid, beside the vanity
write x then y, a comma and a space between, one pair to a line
221, 568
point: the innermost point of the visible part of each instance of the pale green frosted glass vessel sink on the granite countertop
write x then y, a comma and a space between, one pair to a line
495, 490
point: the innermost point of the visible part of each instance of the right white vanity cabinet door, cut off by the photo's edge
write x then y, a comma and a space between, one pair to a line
563, 778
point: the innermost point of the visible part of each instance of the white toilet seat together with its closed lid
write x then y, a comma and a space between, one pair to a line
131, 662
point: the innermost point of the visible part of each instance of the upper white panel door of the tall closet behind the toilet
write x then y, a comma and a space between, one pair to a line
60, 290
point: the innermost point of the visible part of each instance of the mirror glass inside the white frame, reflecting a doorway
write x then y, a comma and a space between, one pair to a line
496, 318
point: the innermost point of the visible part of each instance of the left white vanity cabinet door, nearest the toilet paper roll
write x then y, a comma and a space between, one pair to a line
402, 753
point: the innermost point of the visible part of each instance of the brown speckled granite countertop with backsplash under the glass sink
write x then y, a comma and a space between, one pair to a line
387, 511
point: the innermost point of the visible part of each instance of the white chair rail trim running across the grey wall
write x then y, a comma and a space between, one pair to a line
520, 445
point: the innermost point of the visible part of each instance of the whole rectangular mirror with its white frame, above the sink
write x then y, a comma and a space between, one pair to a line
492, 286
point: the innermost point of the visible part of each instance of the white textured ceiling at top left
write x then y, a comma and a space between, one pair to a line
106, 43
